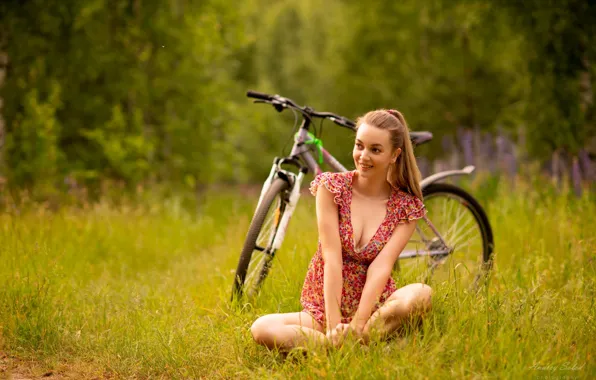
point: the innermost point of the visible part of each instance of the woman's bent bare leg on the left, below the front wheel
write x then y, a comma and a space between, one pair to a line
288, 330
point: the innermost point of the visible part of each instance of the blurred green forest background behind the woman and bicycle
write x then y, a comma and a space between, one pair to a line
134, 93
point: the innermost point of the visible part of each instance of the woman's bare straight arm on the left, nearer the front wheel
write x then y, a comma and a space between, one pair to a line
328, 225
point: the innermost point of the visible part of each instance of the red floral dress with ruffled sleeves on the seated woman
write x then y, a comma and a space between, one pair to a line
401, 206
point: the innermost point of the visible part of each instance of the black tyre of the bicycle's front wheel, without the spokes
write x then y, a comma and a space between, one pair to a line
277, 189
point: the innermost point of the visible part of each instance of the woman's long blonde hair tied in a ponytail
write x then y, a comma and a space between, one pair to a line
404, 174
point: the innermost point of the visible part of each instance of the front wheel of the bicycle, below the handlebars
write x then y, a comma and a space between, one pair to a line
257, 252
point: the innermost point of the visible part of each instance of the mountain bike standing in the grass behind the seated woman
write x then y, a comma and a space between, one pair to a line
453, 246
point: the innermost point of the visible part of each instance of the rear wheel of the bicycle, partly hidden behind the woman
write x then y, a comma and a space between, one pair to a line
458, 251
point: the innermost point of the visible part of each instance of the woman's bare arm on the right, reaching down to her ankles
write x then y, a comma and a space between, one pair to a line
379, 271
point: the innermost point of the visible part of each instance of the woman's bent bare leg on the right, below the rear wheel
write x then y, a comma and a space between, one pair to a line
410, 302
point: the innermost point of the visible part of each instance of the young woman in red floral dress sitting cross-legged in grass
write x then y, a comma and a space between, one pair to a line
365, 218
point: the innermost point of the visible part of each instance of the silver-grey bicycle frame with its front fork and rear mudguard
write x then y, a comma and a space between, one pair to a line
301, 156
